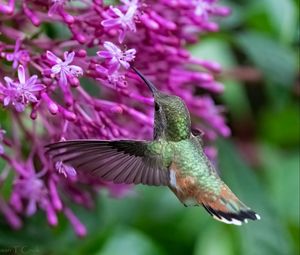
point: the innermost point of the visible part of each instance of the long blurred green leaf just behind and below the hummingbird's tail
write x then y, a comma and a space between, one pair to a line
267, 236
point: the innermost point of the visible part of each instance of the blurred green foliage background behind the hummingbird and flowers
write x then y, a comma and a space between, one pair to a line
258, 47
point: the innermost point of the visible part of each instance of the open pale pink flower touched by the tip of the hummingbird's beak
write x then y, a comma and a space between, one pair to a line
116, 56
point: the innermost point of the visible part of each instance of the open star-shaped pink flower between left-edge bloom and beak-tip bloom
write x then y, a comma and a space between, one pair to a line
63, 68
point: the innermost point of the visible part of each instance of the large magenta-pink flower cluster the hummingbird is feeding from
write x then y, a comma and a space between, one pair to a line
80, 86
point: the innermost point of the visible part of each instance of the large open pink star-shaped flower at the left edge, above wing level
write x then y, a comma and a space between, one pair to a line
19, 94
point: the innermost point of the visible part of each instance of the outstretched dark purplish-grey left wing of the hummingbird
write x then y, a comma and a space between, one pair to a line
117, 161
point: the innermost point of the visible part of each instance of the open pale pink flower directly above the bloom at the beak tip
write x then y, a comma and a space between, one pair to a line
124, 21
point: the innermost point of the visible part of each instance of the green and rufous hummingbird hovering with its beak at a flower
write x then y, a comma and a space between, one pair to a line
174, 158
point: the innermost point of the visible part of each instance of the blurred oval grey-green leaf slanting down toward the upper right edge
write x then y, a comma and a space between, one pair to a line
277, 62
